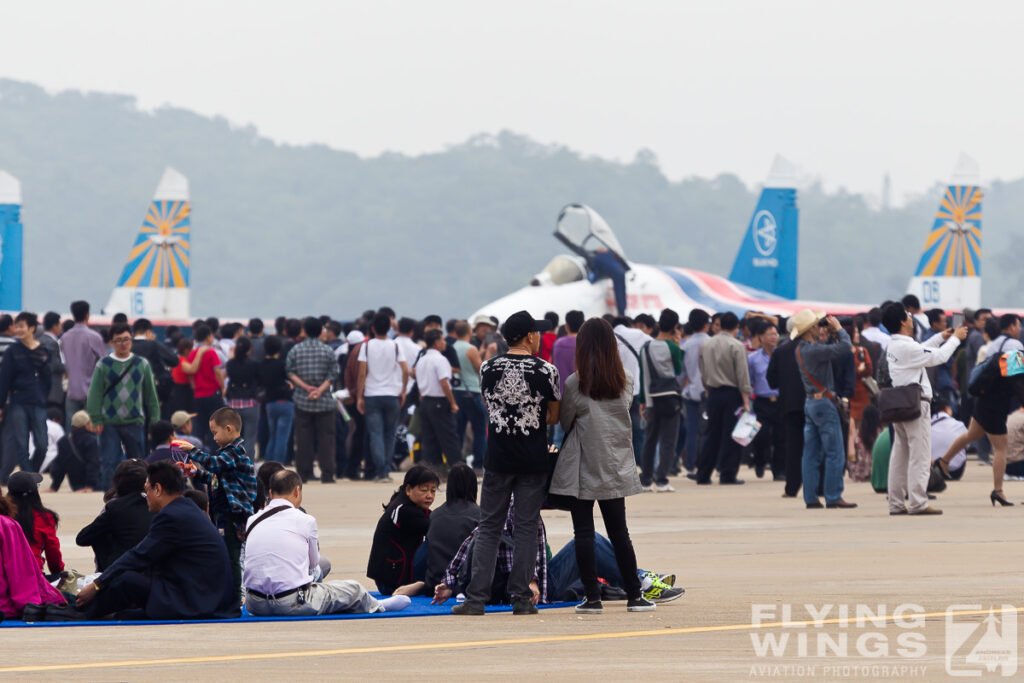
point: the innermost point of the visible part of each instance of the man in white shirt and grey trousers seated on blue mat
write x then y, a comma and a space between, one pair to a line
282, 552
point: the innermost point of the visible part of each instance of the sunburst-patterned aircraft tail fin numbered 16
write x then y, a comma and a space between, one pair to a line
155, 280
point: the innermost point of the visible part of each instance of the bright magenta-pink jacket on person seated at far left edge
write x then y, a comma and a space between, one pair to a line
22, 581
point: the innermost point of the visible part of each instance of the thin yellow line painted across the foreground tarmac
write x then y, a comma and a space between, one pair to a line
220, 659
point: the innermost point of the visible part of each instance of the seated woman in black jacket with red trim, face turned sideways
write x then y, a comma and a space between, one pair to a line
401, 530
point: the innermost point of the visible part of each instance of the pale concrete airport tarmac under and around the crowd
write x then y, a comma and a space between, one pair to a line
744, 554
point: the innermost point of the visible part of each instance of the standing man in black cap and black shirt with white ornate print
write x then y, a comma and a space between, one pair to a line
522, 395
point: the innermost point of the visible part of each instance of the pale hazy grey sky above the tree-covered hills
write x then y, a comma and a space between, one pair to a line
847, 91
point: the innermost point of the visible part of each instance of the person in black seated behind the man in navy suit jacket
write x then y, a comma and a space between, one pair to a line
125, 520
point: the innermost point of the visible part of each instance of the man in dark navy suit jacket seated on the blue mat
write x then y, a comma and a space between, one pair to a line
180, 571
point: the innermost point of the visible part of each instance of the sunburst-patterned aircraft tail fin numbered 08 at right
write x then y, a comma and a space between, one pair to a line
949, 274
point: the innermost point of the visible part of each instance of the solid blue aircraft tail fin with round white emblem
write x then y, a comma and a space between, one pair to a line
767, 259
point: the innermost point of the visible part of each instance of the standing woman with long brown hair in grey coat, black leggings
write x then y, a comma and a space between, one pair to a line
596, 462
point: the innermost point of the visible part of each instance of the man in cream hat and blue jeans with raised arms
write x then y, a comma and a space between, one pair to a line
823, 433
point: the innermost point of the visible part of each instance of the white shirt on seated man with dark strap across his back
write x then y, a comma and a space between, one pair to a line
282, 550
